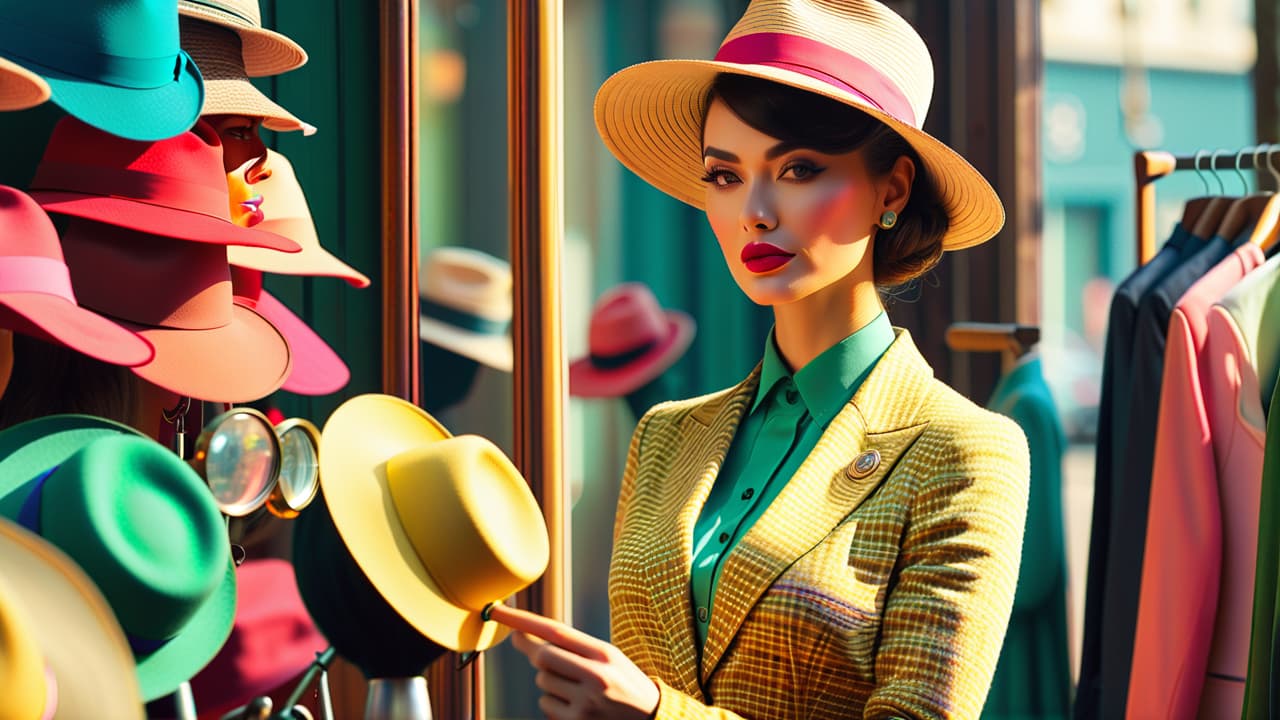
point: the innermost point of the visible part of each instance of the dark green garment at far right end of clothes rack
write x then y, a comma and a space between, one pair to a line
1263, 686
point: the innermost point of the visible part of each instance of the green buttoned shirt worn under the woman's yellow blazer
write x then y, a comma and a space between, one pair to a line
788, 417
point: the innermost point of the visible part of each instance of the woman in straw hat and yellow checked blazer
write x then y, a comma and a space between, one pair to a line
838, 536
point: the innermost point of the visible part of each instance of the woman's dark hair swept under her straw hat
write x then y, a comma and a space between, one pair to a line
909, 249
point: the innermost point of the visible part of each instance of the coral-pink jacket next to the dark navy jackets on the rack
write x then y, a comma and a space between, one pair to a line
1180, 635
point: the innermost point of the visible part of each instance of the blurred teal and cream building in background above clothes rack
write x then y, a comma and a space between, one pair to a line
1123, 76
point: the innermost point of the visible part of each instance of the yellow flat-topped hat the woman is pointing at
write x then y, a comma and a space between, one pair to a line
442, 526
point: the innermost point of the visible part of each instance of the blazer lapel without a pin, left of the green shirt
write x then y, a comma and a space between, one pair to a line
705, 438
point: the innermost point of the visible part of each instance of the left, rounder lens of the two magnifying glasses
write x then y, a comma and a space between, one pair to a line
240, 463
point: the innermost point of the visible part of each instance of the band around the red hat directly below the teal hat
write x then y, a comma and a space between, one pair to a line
162, 192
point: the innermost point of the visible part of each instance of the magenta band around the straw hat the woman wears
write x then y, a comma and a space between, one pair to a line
820, 62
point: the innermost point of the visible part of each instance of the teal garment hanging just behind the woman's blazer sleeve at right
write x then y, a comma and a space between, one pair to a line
1034, 676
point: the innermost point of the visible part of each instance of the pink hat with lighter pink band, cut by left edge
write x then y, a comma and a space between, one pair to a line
36, 294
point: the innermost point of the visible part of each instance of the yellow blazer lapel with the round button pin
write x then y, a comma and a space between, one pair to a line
858, 450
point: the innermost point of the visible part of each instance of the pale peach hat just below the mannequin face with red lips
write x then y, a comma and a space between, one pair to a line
286, 213
